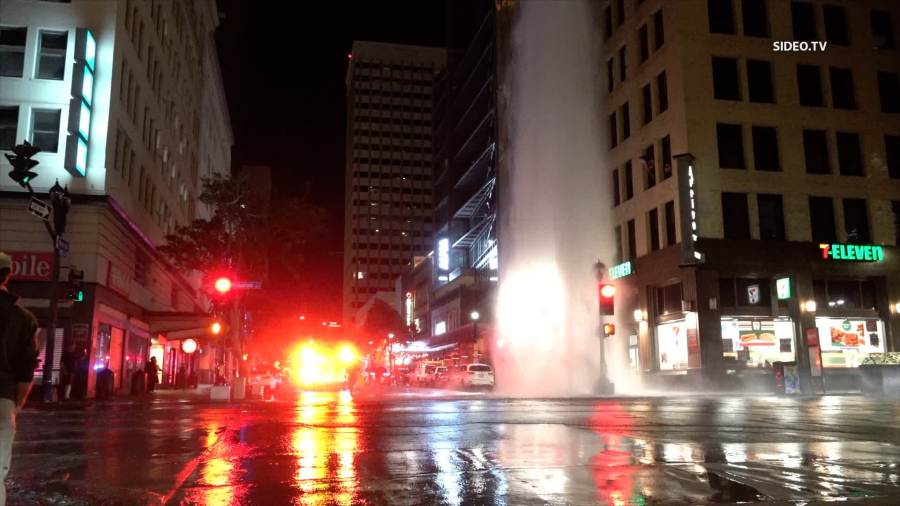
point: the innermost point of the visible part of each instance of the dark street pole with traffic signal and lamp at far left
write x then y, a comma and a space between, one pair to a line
55, 223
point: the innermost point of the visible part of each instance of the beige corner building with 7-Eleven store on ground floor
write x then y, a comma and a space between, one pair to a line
756, 190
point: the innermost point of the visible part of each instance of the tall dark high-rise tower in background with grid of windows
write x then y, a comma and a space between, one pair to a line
388, 208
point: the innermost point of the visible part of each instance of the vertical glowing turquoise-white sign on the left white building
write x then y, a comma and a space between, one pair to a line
81, 106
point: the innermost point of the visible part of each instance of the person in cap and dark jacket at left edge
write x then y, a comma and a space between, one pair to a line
18, 359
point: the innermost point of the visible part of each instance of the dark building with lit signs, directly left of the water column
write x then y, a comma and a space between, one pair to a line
465, 164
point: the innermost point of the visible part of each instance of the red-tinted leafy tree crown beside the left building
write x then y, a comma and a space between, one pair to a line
246, 231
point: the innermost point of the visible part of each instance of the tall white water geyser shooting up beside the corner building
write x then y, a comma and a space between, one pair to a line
556, 204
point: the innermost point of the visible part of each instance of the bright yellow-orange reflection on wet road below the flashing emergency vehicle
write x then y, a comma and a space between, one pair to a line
325, 444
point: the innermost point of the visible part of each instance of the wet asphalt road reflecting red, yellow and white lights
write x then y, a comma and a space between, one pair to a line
328, 448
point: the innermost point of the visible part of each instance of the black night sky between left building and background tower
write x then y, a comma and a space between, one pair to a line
284, 65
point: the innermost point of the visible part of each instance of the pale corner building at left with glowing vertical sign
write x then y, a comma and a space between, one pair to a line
125, 101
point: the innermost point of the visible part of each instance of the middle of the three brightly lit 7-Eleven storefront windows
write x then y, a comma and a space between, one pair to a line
758, 342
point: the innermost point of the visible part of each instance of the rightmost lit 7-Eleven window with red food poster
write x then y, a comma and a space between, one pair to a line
847, 341
